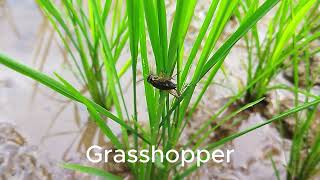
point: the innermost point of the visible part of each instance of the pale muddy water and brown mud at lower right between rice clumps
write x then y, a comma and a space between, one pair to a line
252, 152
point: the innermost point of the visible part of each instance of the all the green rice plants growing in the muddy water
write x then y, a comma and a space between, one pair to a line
95, 50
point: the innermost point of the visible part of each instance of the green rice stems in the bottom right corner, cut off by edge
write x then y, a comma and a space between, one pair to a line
304, 156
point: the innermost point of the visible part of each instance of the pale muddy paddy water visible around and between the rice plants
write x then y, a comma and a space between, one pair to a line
53, 127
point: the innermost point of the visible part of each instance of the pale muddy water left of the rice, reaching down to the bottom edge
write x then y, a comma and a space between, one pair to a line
48, 122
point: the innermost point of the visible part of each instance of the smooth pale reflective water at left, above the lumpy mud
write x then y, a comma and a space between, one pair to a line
47, 119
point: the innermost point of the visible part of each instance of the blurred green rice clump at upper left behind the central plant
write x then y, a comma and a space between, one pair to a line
76, 27
